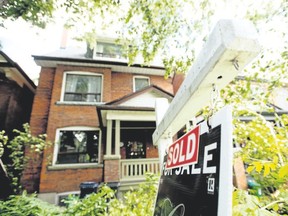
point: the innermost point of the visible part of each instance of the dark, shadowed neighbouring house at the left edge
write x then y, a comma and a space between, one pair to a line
16, 97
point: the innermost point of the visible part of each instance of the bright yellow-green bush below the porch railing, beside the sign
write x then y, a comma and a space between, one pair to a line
136, 202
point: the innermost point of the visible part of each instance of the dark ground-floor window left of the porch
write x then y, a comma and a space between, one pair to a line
77, 146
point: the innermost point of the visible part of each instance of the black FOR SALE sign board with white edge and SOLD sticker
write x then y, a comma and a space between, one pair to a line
197, 174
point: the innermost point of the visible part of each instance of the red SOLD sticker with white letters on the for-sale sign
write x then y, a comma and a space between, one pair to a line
185, 150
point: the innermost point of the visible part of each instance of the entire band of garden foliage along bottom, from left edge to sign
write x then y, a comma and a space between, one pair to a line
136, 202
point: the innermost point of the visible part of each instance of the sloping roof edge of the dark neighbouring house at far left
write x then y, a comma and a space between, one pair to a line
14, 72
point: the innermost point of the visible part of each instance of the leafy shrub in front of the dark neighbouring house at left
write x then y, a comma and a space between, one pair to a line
23, 140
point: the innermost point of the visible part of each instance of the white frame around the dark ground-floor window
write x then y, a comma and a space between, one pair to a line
73, 128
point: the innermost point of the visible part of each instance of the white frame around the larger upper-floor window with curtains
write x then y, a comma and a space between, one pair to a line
79, 73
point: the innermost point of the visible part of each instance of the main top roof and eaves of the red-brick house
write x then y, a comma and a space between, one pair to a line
76, 57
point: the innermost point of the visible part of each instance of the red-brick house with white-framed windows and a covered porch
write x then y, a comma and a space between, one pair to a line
99, 114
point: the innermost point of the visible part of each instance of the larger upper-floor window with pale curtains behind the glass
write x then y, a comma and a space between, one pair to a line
86, 87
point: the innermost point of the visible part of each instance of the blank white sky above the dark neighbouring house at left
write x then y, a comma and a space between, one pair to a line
20, 41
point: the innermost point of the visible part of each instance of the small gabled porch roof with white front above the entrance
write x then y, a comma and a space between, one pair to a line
138, 106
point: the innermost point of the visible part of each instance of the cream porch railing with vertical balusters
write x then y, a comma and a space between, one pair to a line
135, 169
